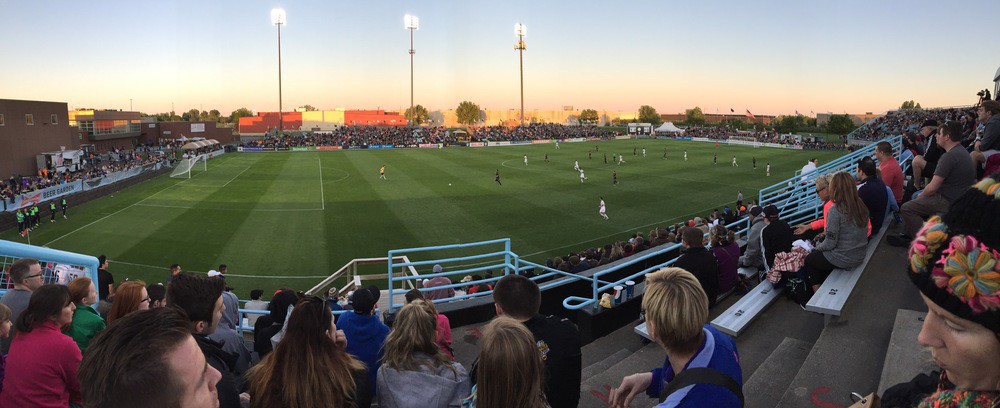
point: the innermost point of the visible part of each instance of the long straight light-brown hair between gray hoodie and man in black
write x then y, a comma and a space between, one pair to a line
510, 367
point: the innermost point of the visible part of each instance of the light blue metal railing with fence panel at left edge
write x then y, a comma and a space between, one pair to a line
59, 267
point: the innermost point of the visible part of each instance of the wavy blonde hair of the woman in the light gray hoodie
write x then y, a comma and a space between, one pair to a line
415, 330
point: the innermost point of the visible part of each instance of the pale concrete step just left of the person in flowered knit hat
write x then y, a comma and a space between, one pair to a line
905, 358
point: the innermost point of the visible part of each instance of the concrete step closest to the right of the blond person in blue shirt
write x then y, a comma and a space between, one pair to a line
767, 384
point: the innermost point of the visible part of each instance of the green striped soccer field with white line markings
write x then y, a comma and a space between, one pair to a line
290, 218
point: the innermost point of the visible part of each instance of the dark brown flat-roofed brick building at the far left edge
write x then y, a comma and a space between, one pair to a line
28, 128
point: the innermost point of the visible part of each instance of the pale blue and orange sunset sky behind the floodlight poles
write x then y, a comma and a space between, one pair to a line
772, 57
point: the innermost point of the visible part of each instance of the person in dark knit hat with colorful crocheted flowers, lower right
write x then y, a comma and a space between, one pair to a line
955, 262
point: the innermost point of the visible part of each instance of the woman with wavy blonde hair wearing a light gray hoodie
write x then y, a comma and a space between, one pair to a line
415, 372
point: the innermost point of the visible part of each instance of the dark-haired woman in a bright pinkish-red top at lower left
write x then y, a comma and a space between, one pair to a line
43, 362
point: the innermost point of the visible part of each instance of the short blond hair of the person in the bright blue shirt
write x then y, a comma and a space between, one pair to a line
677, 307
